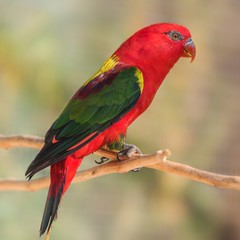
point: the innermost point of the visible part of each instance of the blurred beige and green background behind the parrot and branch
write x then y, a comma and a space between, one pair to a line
49, 48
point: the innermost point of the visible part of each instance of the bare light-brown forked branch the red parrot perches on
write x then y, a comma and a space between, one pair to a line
156, 161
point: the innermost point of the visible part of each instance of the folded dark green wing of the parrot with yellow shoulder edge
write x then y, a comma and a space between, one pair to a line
101, 102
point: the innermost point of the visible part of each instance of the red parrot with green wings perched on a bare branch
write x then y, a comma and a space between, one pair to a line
101, 110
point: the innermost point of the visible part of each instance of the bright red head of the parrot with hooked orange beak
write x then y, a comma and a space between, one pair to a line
159, 45
